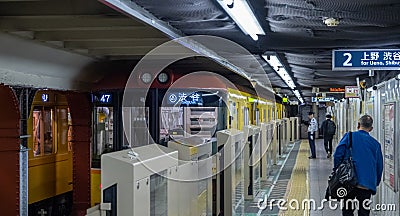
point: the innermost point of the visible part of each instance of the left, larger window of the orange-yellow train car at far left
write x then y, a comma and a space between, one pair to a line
42, 131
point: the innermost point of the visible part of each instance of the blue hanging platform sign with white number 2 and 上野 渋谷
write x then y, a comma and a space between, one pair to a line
370, 59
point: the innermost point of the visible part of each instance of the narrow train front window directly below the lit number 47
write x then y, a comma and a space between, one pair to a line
103, 134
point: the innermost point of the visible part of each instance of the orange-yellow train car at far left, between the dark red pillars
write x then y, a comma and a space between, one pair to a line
50, 155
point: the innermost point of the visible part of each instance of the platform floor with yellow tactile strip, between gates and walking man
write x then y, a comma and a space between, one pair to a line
300, 178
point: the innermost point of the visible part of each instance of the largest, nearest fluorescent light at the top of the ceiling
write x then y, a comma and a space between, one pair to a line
241, 13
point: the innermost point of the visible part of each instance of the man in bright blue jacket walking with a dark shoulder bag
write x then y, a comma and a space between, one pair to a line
368, 161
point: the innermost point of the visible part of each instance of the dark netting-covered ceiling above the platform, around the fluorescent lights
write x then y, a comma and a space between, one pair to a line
296, 31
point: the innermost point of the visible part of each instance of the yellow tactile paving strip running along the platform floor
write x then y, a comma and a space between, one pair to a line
298, 186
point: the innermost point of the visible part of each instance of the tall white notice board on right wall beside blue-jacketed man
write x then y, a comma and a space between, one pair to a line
389, 176
